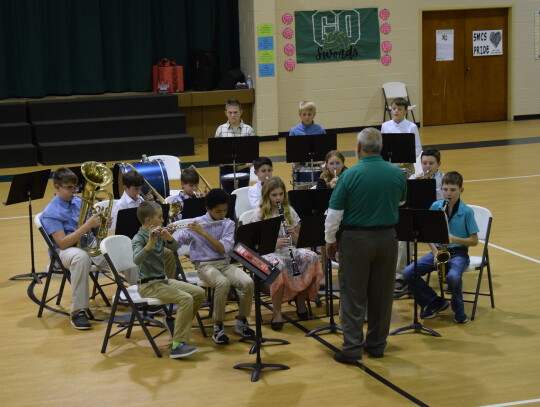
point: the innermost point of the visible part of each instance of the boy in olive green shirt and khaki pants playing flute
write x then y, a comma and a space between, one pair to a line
148, 253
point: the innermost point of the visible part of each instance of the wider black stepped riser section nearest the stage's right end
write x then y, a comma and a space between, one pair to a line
108, 128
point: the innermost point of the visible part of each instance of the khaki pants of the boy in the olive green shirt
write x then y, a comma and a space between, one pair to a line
188, 297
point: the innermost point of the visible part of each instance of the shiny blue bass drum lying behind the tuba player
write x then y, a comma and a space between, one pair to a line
154, 172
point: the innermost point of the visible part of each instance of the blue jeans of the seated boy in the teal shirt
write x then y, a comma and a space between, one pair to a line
456, 266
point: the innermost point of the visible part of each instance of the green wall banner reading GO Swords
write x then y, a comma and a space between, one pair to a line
337, 35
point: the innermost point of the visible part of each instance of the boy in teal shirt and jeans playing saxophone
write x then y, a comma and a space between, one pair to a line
463, 232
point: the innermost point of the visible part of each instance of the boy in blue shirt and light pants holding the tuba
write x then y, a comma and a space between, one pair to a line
60, 221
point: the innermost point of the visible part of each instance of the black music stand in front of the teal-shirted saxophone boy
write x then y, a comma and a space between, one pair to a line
418, 225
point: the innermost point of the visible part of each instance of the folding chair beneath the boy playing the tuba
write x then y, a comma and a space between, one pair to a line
56, 267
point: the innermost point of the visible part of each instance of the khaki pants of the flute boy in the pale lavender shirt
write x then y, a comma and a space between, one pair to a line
221, 275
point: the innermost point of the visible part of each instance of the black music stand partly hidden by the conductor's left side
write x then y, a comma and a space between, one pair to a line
312, 235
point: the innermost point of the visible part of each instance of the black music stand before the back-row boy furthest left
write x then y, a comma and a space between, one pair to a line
230, 150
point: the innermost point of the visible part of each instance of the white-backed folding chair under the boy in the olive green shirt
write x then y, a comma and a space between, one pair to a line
119, 255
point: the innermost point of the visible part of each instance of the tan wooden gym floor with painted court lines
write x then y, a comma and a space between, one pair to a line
490, 360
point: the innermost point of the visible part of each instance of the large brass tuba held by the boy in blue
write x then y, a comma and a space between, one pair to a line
97, 175
